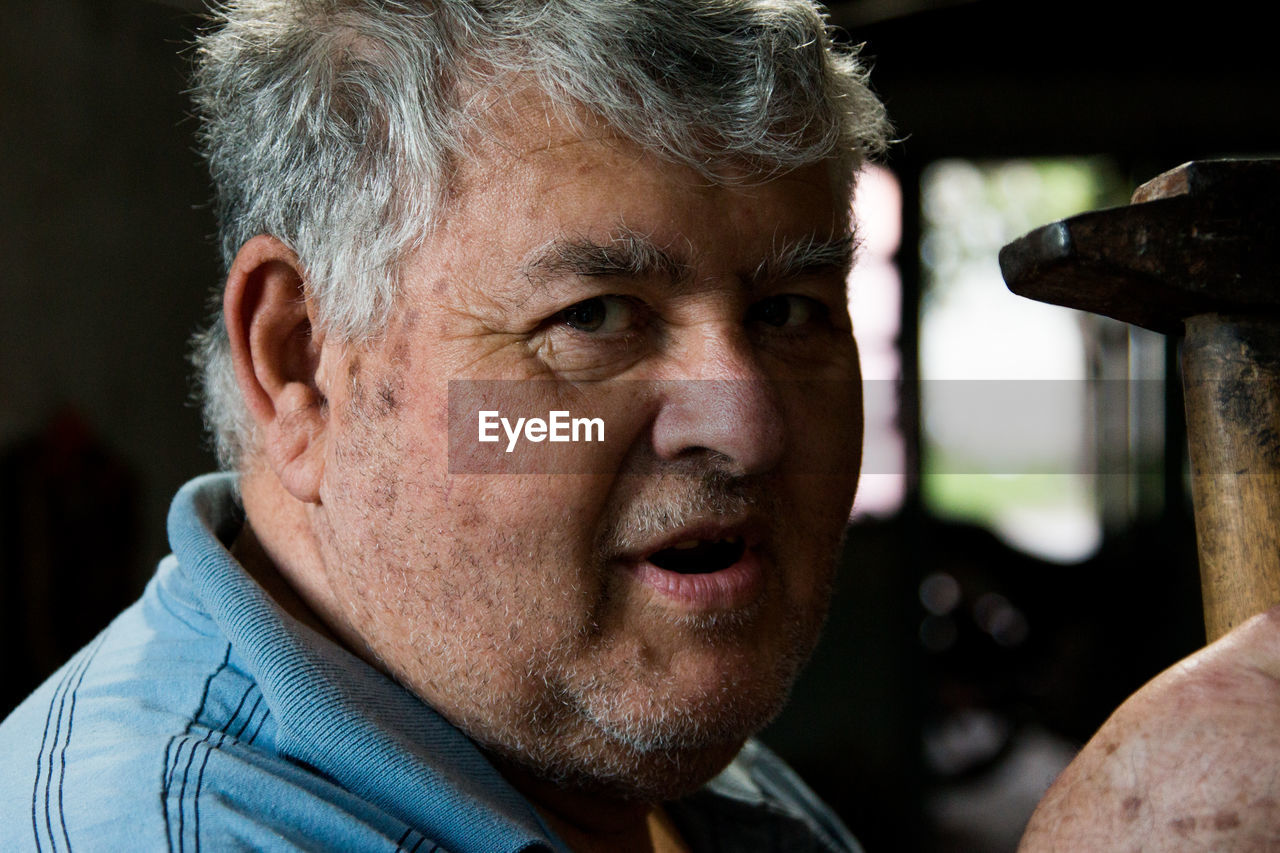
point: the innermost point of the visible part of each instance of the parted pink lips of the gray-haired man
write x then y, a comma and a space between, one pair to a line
730, 589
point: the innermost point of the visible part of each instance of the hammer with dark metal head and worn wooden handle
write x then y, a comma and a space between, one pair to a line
1197, 253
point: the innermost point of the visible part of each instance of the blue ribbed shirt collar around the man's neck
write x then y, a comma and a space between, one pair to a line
337, 714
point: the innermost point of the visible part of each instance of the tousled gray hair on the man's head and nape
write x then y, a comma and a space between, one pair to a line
333, 125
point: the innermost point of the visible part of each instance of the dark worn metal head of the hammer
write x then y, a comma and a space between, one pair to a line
1201, 239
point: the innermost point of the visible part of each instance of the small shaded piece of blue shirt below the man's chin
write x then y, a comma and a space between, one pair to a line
760, 804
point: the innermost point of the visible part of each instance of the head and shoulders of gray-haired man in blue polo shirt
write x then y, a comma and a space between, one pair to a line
380, 637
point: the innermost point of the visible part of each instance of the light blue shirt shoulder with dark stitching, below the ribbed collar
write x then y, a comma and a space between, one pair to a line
159, 722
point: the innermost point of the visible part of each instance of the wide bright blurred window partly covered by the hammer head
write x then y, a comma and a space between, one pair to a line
1004, 380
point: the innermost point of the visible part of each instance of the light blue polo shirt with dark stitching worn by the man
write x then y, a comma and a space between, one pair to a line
207, 718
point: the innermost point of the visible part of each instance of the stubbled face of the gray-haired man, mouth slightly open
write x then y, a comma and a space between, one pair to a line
628, 619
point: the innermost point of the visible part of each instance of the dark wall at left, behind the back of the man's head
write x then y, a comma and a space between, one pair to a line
107, 259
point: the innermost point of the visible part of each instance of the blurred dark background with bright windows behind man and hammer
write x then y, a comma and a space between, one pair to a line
1002, 592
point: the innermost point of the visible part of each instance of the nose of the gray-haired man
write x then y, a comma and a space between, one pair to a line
725, 405
